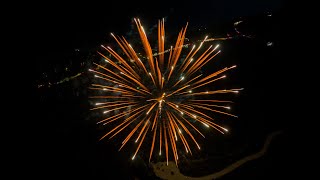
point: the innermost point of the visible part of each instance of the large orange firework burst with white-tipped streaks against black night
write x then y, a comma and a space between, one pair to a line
158, 95
